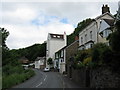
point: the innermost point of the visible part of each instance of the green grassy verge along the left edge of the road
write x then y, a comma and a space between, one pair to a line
16, 78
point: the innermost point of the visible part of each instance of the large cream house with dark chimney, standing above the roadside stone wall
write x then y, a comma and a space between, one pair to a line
91, 34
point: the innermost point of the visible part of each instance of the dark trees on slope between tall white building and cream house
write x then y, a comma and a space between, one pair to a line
81, 25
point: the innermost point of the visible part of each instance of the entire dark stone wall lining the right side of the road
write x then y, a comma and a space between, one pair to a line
100, 77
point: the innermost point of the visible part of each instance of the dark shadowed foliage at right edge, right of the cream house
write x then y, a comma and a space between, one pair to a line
115, 44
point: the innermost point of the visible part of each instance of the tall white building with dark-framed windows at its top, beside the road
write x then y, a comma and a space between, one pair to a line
54, 43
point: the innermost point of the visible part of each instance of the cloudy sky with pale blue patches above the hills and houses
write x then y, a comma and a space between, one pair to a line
30, 21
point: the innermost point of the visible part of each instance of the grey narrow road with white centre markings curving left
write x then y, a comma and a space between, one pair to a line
47, 80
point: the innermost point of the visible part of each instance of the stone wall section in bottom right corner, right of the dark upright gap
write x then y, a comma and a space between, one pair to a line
103, 77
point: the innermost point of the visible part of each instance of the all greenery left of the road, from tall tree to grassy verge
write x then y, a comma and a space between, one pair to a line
13, 72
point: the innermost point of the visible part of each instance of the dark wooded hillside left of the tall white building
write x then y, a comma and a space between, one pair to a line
32, 52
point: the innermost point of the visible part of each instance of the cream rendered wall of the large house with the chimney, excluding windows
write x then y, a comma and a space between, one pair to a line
94, 27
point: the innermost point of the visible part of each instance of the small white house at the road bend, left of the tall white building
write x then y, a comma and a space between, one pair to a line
40, 62
